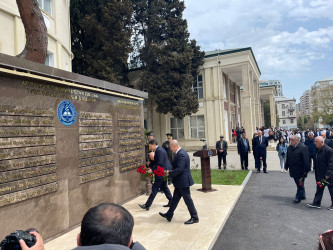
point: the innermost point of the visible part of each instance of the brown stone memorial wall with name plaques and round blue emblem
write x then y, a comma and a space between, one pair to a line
67, 142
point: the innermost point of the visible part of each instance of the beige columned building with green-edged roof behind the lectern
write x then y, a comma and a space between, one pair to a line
229, 96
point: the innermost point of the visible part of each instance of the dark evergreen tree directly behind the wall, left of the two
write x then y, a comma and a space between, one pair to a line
101, 32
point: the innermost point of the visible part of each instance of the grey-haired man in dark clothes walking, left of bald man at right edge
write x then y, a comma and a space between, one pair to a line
298, 164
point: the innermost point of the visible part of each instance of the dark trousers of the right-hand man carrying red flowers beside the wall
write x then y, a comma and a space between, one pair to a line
186, 194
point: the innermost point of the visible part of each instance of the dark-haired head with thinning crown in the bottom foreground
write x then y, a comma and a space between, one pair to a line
106, 223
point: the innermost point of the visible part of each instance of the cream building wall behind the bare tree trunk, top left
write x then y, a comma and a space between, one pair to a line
57, 20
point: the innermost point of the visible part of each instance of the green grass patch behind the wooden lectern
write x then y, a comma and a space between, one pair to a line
222, 177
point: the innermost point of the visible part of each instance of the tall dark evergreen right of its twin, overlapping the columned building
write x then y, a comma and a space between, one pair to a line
169, 60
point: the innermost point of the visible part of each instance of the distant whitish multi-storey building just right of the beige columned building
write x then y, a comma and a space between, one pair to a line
286, 108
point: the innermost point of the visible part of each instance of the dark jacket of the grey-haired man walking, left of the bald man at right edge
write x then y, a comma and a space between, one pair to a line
297, 160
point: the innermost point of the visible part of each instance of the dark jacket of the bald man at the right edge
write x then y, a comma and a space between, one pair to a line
324, 163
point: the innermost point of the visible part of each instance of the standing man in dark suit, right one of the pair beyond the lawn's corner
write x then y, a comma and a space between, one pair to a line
259, 145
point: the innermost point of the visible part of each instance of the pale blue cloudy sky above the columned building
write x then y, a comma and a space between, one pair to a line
292, 40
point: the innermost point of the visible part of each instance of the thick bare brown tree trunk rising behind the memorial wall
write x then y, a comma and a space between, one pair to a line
35, 31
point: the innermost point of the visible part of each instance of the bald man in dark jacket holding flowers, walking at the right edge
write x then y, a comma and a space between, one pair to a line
323, 172
